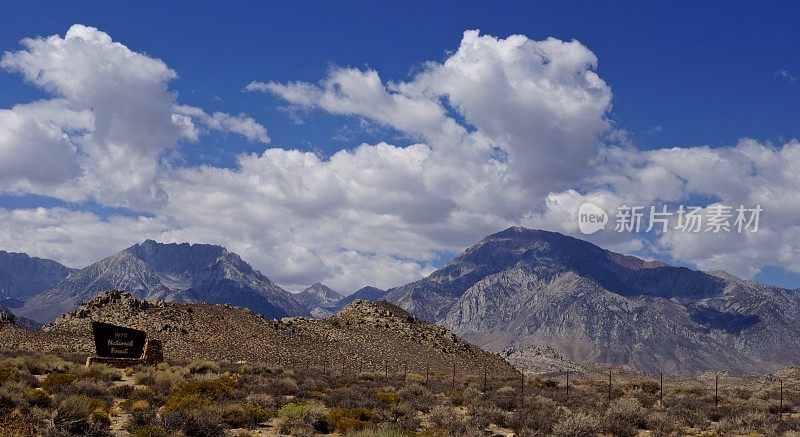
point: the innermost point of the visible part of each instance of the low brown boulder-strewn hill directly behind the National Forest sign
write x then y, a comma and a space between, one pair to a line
367, 335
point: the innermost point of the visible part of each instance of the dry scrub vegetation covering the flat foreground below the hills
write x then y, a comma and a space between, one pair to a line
58, 396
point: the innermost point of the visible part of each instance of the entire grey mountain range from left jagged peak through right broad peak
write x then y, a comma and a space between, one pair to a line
518, 290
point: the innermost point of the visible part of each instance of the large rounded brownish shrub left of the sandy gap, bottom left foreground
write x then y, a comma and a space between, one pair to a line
81, 414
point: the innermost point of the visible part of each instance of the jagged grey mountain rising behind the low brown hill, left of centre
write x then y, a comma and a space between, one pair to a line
171, 272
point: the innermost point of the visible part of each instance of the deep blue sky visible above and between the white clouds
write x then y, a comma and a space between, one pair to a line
682, 74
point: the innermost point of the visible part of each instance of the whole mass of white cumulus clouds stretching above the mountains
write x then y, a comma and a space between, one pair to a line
502, 131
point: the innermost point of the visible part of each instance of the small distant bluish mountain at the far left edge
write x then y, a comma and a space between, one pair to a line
22, 276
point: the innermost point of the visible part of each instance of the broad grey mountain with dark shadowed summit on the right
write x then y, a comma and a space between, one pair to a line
523, 287
